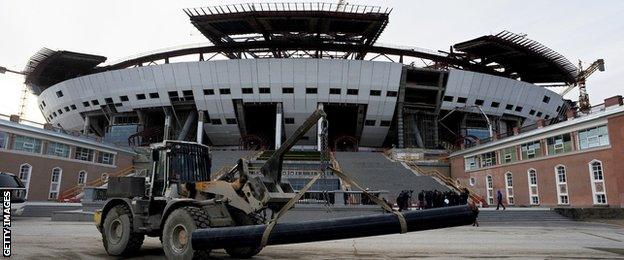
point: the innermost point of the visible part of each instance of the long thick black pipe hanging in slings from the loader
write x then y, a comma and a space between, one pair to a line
332, 229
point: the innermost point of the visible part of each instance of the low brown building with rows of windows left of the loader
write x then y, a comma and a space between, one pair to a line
50, 162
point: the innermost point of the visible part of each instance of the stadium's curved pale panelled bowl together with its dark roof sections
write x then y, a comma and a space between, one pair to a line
262, 76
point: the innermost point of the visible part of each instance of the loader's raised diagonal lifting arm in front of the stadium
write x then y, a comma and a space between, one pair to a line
272, 168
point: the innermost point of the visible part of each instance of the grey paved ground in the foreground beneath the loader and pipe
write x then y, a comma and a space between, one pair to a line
38, 238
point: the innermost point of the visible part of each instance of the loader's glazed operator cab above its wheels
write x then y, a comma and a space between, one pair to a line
180, 163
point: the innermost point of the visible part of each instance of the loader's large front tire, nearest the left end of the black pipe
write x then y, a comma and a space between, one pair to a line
176, 238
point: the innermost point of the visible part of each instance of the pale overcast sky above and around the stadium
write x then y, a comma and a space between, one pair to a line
578, 29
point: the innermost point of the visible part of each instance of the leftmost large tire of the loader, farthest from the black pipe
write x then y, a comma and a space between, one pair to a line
117, 235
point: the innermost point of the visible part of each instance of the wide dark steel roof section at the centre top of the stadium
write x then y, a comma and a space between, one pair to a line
290, 22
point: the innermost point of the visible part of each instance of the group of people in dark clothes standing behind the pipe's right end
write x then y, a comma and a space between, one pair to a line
432, 199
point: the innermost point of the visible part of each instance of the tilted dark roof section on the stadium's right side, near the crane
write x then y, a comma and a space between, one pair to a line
521, 57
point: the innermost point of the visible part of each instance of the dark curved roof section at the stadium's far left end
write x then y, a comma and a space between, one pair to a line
48, 67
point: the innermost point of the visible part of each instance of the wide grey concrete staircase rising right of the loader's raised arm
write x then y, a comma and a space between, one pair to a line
375, 171
